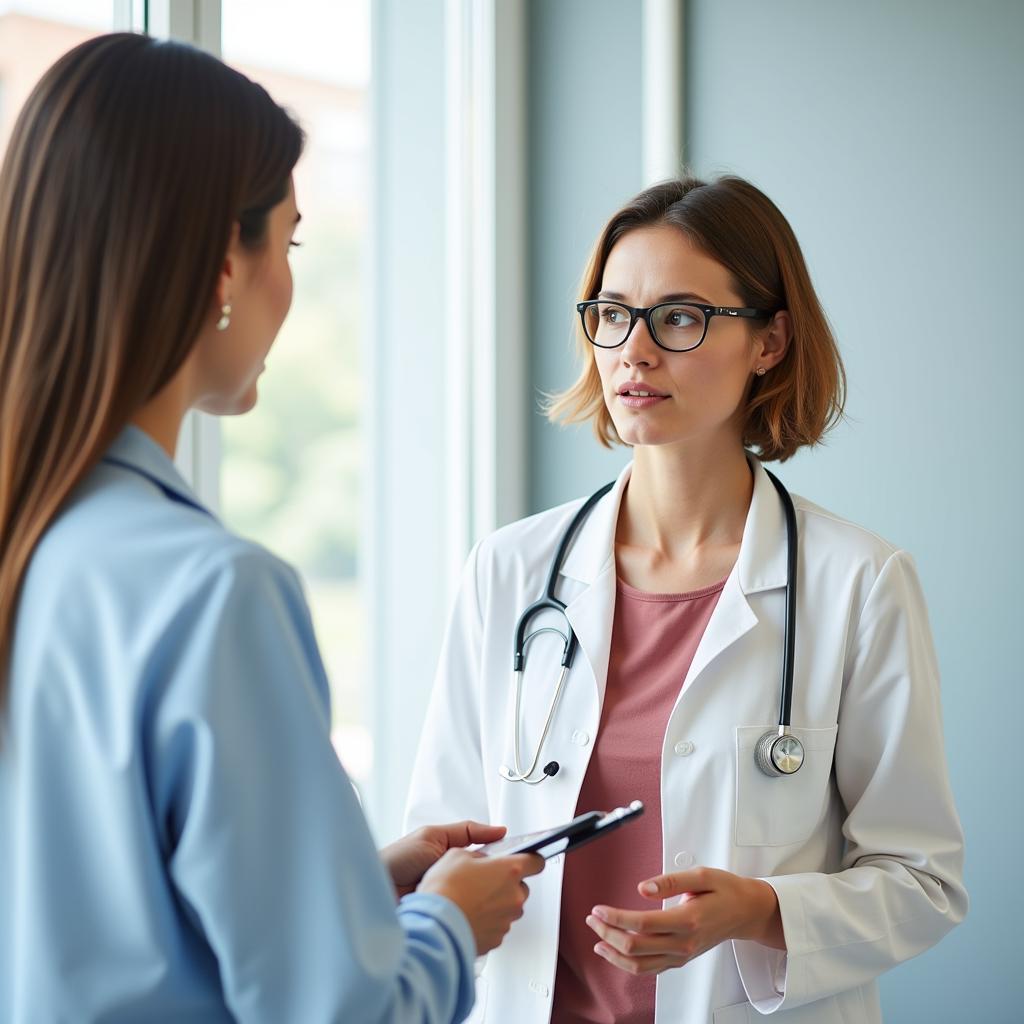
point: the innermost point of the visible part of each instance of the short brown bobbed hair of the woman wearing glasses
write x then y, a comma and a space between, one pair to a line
738, 226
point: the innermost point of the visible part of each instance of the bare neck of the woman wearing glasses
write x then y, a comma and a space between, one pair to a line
684, 499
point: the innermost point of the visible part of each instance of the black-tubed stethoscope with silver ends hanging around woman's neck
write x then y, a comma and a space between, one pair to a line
778, 752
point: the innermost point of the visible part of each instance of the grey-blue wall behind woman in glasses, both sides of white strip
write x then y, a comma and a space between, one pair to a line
890, 136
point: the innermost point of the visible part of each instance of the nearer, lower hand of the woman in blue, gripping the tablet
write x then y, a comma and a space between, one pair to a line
490, 891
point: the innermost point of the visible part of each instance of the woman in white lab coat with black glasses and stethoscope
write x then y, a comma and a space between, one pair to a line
800, 836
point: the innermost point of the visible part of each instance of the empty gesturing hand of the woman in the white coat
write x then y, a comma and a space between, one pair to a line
715, 907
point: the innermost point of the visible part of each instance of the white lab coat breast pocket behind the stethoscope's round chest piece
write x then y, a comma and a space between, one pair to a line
786, 809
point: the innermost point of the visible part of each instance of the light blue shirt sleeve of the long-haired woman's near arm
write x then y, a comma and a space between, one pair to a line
263, 834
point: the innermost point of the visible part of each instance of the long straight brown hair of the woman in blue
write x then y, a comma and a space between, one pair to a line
127, 170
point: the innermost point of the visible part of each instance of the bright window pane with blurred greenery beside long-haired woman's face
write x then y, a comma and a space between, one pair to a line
292, 473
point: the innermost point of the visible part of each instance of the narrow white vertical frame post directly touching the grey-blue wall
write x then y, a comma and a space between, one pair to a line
489, 400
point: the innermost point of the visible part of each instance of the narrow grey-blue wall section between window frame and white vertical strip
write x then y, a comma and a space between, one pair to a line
584, 161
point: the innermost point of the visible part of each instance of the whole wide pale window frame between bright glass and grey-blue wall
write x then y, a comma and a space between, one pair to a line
450, 132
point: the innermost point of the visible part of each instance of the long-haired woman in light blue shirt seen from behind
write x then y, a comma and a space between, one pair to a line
178, 839
